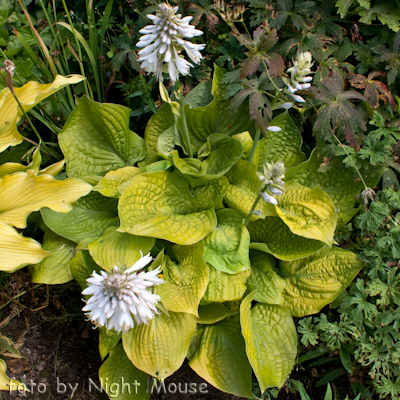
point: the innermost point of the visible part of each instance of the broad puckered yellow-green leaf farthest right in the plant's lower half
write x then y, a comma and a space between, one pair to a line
315, 281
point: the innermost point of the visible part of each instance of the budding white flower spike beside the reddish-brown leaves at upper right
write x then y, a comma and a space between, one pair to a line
299, 79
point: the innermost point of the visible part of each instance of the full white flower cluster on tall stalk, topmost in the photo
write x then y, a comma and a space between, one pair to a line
163, 43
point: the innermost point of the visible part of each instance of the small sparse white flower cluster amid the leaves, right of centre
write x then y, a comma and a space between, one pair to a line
272, 176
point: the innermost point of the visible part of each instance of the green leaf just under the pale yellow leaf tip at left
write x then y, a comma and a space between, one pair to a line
90, 217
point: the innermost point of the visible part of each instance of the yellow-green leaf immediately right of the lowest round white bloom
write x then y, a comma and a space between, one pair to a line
185, 279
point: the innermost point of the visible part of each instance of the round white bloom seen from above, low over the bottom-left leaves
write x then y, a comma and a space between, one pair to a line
118, 296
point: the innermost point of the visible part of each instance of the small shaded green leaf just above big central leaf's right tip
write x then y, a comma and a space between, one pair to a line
211, 195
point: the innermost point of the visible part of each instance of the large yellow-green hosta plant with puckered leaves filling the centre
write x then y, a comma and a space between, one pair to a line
226, 274
